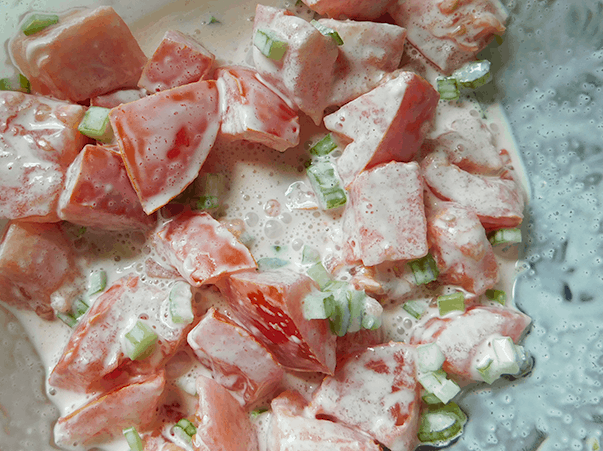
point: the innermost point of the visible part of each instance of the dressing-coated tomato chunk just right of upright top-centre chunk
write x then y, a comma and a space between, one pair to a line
370, 50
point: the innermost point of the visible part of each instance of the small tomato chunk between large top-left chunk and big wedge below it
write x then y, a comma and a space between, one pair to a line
178, 60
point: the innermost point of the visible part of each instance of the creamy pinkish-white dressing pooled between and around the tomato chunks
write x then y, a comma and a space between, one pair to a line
259, 180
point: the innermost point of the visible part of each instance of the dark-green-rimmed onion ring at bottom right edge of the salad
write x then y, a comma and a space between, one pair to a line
441, 424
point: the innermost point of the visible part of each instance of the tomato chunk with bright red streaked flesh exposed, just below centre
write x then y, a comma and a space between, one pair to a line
269, 304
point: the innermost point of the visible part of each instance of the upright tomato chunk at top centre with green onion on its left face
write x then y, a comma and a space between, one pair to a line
304, 72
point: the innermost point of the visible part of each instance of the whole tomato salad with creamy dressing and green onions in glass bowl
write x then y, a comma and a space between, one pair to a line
183, 329
